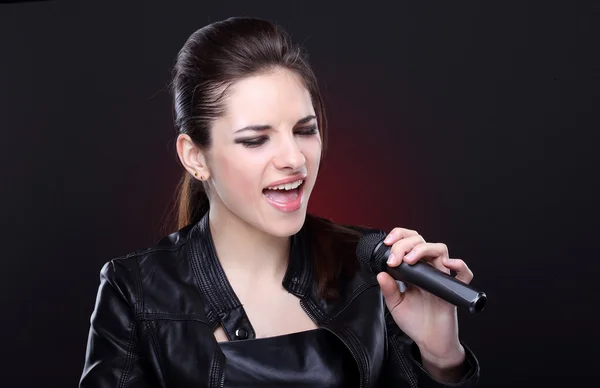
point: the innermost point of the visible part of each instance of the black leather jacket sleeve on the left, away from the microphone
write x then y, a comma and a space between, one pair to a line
112, 355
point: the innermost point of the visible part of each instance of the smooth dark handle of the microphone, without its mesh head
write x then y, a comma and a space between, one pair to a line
439, 283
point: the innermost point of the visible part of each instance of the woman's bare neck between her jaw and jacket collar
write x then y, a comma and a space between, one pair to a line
246, 252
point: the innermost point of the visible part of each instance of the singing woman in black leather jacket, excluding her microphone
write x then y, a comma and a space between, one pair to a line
251, 290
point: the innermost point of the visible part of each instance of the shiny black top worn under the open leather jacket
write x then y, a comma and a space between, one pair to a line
313, 358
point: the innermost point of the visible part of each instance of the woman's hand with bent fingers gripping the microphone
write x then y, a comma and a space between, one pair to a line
429, 321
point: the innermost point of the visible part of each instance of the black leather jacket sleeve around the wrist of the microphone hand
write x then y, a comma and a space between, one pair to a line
403, 366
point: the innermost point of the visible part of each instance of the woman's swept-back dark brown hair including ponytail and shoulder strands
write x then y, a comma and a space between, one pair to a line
213, 58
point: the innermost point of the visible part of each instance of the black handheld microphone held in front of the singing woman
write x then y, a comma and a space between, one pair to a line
372, 252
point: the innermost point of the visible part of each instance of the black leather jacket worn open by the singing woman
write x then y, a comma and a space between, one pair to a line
156, 311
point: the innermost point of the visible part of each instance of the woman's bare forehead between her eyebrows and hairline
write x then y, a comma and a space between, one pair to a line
276, 97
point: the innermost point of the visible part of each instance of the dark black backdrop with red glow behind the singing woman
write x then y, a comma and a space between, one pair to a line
473, 122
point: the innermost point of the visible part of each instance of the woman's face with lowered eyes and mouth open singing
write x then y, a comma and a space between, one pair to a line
265, 153
